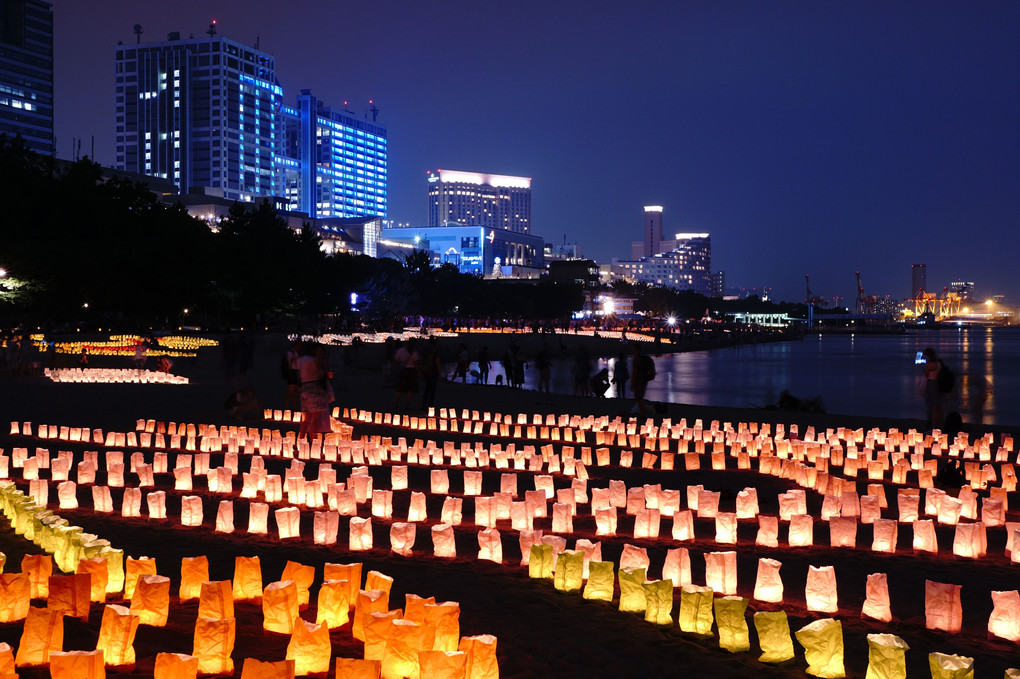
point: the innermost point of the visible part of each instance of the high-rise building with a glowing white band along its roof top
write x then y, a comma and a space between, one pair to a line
473, 199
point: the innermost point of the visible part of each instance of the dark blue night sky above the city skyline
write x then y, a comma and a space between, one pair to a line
818, 138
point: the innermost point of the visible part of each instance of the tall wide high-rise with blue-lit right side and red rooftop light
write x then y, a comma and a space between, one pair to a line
201, 113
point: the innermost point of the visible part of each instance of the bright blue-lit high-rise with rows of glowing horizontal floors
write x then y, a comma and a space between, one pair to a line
332, 163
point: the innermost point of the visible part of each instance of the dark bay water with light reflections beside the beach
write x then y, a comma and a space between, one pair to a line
863, 375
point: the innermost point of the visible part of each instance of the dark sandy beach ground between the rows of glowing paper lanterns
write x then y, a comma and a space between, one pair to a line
542, 633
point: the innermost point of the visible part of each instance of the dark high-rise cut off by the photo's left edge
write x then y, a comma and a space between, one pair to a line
27, 73
